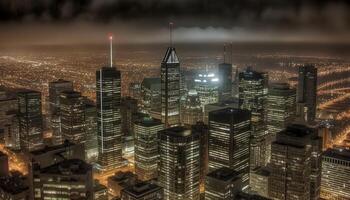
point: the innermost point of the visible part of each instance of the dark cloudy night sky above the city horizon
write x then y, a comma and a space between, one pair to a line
138, 21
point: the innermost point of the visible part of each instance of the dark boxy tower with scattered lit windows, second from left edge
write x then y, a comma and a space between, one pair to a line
30, 120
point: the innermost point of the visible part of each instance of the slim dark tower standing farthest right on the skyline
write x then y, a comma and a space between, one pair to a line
307, 93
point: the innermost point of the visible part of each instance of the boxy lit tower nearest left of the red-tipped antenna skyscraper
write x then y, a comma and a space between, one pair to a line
72, 116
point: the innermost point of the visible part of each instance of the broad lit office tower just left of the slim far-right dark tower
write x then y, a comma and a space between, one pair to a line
280, 111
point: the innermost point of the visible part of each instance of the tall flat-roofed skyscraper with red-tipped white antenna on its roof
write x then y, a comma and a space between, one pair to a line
108, 97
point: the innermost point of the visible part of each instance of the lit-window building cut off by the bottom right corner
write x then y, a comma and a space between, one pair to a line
335, 174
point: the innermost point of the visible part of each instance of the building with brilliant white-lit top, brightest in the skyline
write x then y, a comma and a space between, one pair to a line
207, 86
